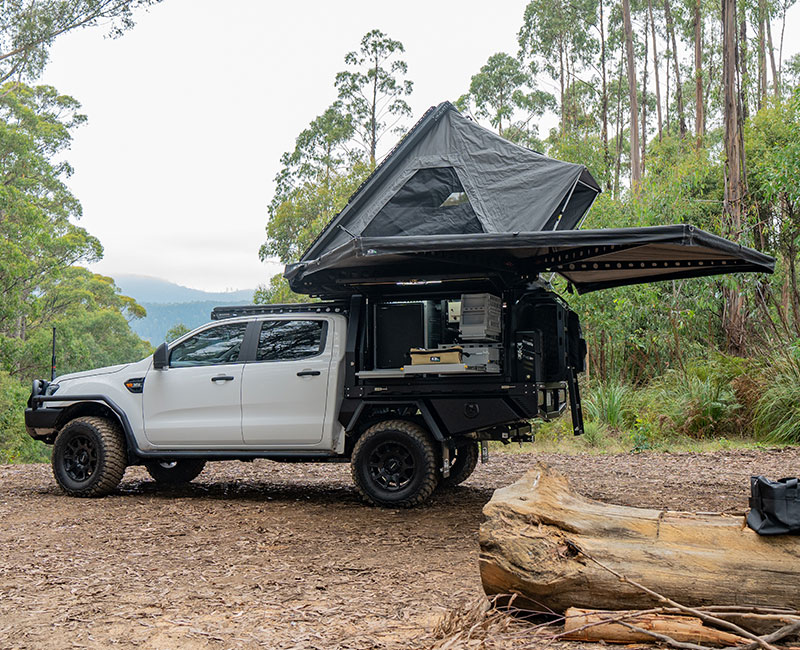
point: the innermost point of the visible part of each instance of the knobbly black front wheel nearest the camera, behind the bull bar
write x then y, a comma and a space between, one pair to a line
89, 457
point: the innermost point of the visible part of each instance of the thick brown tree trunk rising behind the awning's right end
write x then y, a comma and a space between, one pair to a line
733, 316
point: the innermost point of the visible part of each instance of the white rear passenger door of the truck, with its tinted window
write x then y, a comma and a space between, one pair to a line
285, 388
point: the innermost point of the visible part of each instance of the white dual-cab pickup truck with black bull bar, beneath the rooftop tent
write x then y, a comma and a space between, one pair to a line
273, 383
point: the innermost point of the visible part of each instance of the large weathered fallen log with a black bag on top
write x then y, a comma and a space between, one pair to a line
539, 538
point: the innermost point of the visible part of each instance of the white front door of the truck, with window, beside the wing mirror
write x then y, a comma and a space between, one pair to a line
196, 402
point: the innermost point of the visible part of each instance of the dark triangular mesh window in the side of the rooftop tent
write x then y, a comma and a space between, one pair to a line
432, 202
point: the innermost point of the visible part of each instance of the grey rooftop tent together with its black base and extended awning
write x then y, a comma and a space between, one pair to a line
455, 204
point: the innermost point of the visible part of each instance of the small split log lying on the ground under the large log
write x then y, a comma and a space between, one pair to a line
594, 625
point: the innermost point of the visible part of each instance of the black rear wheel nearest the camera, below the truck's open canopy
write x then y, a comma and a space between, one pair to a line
394, 464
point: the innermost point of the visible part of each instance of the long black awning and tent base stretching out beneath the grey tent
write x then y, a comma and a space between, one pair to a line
589, 259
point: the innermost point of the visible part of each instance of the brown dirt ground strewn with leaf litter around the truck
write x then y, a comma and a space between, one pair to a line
285, 556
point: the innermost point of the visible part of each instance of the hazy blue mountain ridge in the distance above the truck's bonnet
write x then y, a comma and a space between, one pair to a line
169, 304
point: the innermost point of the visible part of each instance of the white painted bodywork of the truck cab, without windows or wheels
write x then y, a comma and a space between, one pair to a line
265, 407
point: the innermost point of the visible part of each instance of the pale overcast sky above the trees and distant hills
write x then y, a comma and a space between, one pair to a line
190, 112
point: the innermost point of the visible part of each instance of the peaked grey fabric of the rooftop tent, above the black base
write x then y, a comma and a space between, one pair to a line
508, 188
